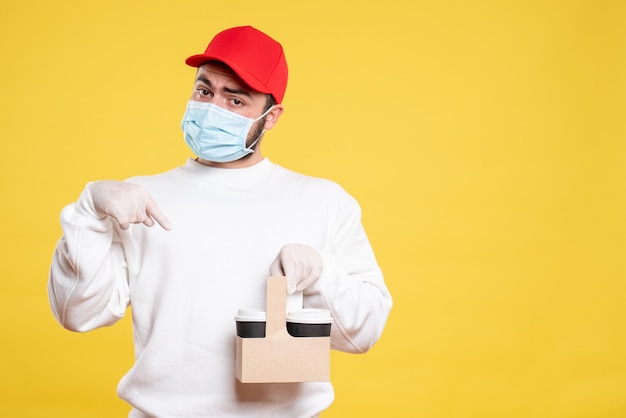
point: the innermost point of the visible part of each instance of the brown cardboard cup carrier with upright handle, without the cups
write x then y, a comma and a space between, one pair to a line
279, 357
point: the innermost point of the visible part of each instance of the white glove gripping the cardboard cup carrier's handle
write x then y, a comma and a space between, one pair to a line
301, 264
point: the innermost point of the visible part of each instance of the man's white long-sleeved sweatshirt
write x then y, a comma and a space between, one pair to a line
185, 285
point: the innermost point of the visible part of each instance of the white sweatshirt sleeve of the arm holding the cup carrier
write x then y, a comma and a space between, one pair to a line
351, 285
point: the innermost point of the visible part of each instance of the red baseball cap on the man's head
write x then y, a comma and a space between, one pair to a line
255, 57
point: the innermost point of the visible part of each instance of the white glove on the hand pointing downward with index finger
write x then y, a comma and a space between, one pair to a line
126, 203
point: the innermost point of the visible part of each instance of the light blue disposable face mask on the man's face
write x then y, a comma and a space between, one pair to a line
216, 134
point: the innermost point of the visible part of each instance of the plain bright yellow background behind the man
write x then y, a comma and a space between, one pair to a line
485, 141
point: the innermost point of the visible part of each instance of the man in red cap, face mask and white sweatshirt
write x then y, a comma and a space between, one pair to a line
228, 219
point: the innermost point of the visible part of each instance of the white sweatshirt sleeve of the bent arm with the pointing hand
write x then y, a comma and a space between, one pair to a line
88, 284
